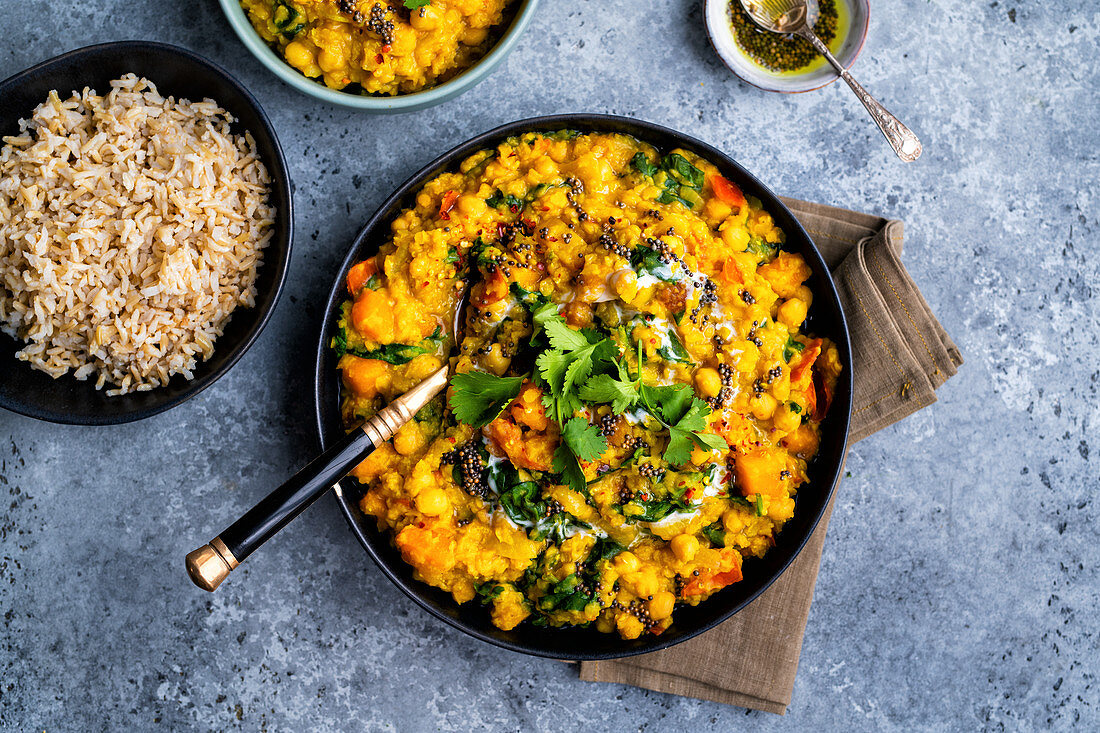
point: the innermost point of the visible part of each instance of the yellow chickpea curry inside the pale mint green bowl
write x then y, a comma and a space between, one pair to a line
380, 46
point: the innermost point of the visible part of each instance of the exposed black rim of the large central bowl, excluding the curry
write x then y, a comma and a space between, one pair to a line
827, 319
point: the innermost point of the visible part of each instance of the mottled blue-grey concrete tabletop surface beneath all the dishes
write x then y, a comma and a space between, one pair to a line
960, 584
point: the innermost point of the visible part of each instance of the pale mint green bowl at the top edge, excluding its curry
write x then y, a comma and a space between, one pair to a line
379, 104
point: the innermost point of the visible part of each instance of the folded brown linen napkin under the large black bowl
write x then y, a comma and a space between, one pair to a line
901, 355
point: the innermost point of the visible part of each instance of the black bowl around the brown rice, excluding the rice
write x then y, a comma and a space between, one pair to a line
179, 73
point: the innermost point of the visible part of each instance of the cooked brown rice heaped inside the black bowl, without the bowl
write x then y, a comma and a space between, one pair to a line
131, 226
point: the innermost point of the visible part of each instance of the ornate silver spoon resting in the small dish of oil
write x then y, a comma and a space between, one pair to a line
798, 18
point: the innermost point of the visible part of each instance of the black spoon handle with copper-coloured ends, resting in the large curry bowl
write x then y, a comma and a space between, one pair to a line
213, 563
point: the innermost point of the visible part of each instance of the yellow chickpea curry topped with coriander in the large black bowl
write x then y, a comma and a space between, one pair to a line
633, 403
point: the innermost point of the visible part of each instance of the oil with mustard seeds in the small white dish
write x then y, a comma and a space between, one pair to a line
789, 54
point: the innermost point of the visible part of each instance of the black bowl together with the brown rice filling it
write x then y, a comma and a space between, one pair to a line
146, 227
